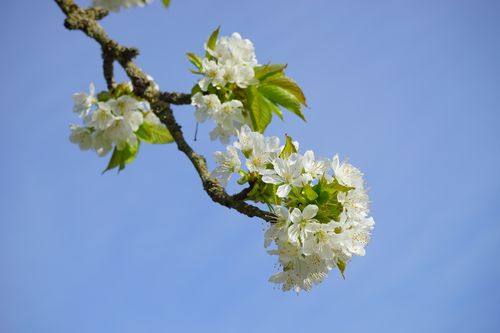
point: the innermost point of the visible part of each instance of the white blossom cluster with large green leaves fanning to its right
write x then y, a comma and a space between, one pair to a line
235, 90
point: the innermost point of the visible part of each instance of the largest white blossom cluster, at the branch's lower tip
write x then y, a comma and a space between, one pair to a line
321, 205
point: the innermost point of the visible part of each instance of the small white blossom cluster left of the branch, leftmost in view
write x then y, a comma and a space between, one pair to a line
110, 120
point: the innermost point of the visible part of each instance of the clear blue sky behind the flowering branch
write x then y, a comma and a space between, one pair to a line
409, 90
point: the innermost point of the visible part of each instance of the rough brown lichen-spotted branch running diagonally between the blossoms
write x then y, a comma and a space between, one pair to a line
86, 21
